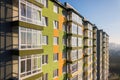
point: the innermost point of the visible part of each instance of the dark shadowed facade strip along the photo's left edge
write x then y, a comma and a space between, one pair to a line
6, 42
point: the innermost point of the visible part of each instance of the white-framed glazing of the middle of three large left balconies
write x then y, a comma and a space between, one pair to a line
30, 38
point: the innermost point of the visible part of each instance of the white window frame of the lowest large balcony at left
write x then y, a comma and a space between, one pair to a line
32, 71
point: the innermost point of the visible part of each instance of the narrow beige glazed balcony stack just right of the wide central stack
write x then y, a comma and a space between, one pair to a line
88, 50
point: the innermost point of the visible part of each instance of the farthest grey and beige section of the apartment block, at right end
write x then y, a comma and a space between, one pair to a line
102, 56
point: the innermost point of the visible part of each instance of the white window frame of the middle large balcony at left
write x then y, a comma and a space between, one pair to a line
35, 43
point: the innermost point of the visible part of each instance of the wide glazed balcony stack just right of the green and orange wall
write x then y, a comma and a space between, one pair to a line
74, 44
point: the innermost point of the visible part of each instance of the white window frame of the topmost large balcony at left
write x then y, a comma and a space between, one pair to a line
34, 10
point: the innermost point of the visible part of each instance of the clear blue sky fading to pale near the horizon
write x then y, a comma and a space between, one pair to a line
105, 14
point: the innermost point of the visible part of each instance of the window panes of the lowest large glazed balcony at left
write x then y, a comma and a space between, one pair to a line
30, 64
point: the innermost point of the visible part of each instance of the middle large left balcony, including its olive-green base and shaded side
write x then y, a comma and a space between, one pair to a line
24, 42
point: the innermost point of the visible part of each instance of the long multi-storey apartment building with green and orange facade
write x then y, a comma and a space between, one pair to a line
48, 40
